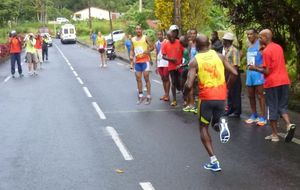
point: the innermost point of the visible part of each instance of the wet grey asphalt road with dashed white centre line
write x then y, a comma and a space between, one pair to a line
76, 127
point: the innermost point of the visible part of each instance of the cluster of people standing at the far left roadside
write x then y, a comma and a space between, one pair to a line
36, 51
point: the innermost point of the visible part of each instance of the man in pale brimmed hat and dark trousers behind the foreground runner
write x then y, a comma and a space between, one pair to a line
234, 83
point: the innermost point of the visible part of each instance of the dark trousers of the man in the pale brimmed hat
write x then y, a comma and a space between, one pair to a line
234, 97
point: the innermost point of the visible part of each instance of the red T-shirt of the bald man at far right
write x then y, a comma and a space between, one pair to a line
273, 58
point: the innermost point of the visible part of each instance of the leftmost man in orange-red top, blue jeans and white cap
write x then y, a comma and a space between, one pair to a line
15, 53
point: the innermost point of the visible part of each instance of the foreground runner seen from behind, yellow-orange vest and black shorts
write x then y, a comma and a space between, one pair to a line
210, 67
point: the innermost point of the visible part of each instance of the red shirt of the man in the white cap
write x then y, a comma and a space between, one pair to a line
173, 50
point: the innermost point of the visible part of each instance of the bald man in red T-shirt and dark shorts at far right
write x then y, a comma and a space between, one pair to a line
276, 85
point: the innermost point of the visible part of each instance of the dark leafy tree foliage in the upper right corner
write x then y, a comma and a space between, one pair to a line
282, 17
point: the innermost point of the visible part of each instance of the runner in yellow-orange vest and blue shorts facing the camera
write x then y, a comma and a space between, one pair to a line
140, 50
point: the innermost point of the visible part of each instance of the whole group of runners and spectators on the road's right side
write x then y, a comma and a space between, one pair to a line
191, 65
